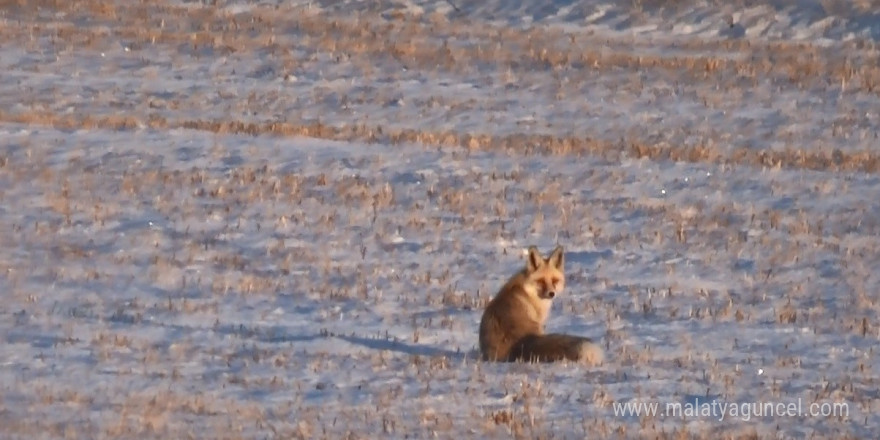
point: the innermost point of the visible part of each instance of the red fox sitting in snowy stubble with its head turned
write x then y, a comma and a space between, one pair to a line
512, 328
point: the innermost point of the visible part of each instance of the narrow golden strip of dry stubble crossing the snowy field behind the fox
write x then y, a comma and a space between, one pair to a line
835, 160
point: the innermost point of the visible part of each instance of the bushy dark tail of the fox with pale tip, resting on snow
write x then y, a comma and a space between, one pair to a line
555, 347
